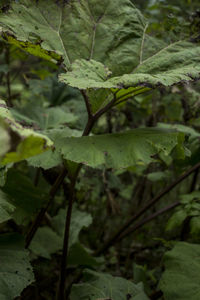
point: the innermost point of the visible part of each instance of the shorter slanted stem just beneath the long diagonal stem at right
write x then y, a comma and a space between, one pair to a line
147, 219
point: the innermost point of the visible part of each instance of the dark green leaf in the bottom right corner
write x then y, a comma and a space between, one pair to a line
181, 279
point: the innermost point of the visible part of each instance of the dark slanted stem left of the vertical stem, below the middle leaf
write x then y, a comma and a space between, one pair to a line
42, 212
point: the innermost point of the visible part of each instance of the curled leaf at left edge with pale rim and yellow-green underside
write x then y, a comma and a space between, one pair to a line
25, 142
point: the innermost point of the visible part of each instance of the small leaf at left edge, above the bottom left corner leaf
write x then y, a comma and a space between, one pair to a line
6, 208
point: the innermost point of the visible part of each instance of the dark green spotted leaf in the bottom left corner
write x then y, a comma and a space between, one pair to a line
15, 270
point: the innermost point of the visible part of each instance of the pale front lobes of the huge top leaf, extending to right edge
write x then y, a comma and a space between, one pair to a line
176, 63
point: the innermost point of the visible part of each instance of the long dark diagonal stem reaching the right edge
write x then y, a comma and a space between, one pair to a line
115, 237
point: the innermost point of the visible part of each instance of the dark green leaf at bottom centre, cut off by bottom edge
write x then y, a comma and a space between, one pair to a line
104, 286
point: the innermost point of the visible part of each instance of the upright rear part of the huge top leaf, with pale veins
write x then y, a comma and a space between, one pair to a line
109, 31
